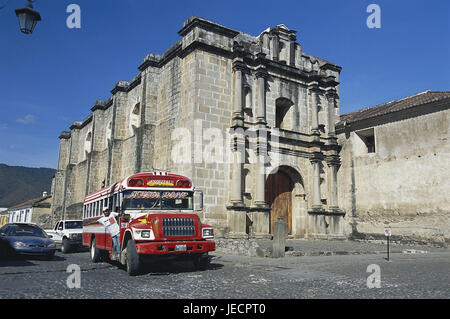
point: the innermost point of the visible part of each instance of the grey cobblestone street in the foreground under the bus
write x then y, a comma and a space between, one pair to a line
233, 277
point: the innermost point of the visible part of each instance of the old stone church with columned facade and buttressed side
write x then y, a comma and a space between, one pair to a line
250, 119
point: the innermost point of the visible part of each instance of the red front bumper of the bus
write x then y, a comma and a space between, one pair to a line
175, 247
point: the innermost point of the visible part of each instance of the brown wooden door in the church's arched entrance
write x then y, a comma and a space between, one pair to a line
279, 197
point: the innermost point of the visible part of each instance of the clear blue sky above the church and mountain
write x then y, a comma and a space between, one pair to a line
51, 78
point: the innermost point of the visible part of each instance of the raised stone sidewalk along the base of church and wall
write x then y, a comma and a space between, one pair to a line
297, 247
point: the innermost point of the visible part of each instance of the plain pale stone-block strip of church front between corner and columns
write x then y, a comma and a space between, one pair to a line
211, 119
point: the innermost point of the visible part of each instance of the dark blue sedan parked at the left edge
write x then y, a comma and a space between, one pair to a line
25, 239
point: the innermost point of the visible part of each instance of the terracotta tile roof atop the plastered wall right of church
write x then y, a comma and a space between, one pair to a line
394, 106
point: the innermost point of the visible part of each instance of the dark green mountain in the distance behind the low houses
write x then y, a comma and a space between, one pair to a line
19, 184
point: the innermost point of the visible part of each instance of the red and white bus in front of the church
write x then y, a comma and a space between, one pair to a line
156, 218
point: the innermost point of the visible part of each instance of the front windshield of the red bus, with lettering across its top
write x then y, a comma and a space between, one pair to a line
158, 200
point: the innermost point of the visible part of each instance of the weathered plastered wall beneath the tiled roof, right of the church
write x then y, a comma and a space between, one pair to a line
403, 184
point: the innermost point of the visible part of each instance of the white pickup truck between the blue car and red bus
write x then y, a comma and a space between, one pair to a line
67, 235
